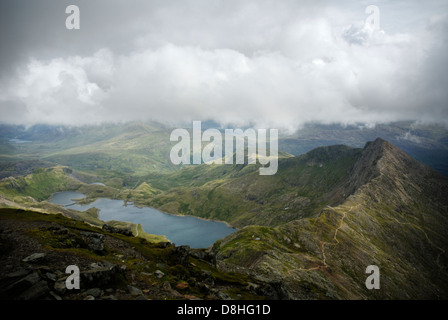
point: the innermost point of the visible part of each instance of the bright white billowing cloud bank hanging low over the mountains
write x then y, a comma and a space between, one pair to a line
274, 70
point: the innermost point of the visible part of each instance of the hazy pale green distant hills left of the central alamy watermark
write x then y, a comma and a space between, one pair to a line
133, 149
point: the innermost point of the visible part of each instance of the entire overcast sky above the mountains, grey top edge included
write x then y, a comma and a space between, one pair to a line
261, 63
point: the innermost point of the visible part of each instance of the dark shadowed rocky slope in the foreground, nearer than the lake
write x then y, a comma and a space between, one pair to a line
36, 249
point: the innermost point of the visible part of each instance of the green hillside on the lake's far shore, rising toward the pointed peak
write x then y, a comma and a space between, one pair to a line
239, 195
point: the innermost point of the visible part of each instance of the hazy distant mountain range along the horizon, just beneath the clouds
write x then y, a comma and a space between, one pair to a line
138, 148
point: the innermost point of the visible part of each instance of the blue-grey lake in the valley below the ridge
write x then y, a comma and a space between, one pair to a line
181, 230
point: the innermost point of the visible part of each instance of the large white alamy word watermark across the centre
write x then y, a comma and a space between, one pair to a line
257, 147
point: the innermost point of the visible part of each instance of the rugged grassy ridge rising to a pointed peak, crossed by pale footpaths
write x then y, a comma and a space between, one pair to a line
395, 217
